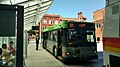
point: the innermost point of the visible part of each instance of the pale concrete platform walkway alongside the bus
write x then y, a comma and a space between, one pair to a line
40, 58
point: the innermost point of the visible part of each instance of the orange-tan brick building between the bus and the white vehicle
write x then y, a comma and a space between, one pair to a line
98, 18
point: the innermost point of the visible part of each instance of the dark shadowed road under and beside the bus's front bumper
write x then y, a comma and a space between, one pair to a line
92, 63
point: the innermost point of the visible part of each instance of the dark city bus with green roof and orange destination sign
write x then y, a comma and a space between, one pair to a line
71, 41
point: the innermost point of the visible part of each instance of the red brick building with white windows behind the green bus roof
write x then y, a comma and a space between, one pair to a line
51, 19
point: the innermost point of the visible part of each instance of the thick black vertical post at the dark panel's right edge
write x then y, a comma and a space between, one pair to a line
20, 23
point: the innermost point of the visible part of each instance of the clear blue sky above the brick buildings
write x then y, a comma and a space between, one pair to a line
70, 8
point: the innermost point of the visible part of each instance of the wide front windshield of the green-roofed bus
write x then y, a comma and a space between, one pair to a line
76, 36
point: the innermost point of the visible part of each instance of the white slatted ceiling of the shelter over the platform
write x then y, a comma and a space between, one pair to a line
33, 10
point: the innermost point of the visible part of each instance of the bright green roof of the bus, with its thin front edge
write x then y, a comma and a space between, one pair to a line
63, 24
